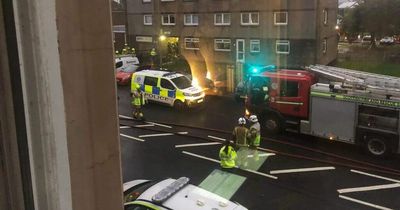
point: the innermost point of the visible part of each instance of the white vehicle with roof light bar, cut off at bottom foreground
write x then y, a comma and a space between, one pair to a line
175, 194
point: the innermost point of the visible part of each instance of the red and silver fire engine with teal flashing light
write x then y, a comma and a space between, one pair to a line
332, 103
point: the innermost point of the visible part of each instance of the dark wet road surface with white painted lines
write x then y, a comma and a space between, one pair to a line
280, 176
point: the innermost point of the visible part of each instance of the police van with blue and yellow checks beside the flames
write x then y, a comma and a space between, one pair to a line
169, 88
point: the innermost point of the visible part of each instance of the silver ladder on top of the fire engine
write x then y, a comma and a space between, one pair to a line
373, 83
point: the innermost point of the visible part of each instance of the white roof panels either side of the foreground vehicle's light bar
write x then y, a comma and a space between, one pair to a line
190, 197
